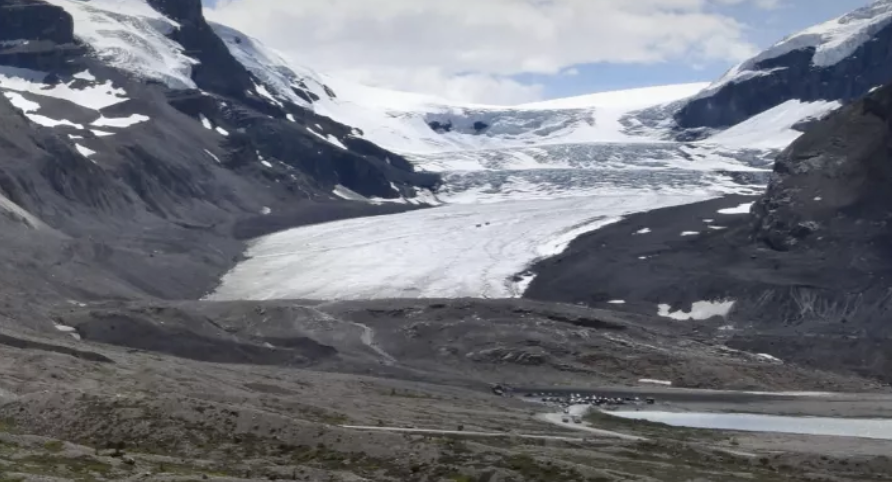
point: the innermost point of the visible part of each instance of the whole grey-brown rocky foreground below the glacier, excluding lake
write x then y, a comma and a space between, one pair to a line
390, 391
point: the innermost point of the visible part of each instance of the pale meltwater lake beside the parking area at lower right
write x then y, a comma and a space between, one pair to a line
842, 427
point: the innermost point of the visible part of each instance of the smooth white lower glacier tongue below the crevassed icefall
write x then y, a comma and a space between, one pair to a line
451, 251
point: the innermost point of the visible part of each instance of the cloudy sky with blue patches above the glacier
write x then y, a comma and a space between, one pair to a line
514, 51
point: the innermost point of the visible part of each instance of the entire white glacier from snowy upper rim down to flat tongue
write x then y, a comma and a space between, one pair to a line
519, 184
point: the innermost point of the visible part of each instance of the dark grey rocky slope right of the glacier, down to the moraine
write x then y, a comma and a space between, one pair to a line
803, 274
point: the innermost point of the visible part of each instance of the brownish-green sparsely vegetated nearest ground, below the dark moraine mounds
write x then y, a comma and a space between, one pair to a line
151, 417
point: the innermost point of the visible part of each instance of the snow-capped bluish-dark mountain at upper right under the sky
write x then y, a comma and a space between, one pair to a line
841, 60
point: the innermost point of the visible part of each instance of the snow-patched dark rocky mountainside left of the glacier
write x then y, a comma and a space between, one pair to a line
136, 152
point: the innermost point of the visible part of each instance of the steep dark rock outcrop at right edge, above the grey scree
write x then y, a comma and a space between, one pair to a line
831, 185
